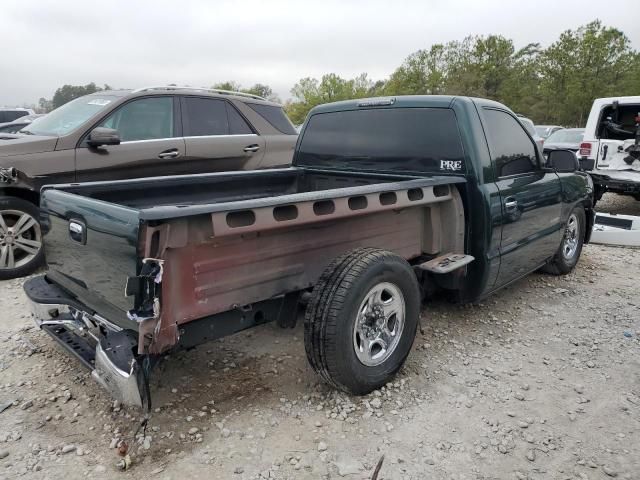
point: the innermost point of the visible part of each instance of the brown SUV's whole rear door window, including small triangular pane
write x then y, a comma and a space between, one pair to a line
209, 116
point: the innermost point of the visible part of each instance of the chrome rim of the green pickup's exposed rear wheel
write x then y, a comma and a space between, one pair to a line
379, 324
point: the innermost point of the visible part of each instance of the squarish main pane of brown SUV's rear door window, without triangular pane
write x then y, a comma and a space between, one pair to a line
204, 117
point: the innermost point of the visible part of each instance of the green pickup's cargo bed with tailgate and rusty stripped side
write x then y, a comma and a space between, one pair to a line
233, 239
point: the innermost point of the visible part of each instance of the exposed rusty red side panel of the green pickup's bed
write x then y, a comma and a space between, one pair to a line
211, 267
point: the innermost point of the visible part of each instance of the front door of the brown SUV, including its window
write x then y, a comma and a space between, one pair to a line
151, 142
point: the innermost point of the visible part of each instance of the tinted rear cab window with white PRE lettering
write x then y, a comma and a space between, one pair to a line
384, 139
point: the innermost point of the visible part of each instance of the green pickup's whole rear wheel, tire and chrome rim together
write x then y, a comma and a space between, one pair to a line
361, 320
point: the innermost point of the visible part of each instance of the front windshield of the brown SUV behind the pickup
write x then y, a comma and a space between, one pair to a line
69, 116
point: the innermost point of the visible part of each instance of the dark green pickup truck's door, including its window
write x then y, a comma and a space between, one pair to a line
531, 197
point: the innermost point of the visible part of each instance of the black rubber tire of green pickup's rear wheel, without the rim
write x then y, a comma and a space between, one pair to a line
332, 313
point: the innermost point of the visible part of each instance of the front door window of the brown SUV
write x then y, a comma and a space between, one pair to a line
144, 119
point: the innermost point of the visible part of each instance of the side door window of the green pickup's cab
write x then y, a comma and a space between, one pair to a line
511, 148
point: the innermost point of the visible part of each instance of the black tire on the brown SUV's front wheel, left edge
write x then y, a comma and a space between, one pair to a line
24, 263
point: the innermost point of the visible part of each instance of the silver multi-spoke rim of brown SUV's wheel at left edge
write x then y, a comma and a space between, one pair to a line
20, 239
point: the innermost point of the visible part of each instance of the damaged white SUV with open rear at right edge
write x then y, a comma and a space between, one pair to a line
611, 146
